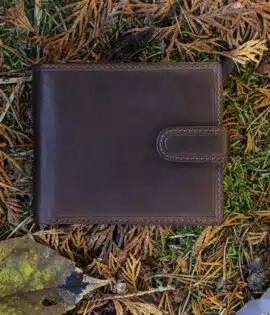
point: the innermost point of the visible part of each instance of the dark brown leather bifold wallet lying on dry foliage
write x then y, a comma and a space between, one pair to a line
128, 143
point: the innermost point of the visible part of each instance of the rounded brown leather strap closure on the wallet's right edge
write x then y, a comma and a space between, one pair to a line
193, 144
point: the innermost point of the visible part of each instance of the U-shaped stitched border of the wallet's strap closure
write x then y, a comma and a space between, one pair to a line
180, 131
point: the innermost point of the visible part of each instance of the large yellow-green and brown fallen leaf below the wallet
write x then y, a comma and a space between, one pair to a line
35, 277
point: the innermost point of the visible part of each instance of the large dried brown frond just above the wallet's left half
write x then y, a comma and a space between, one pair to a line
89, 20
